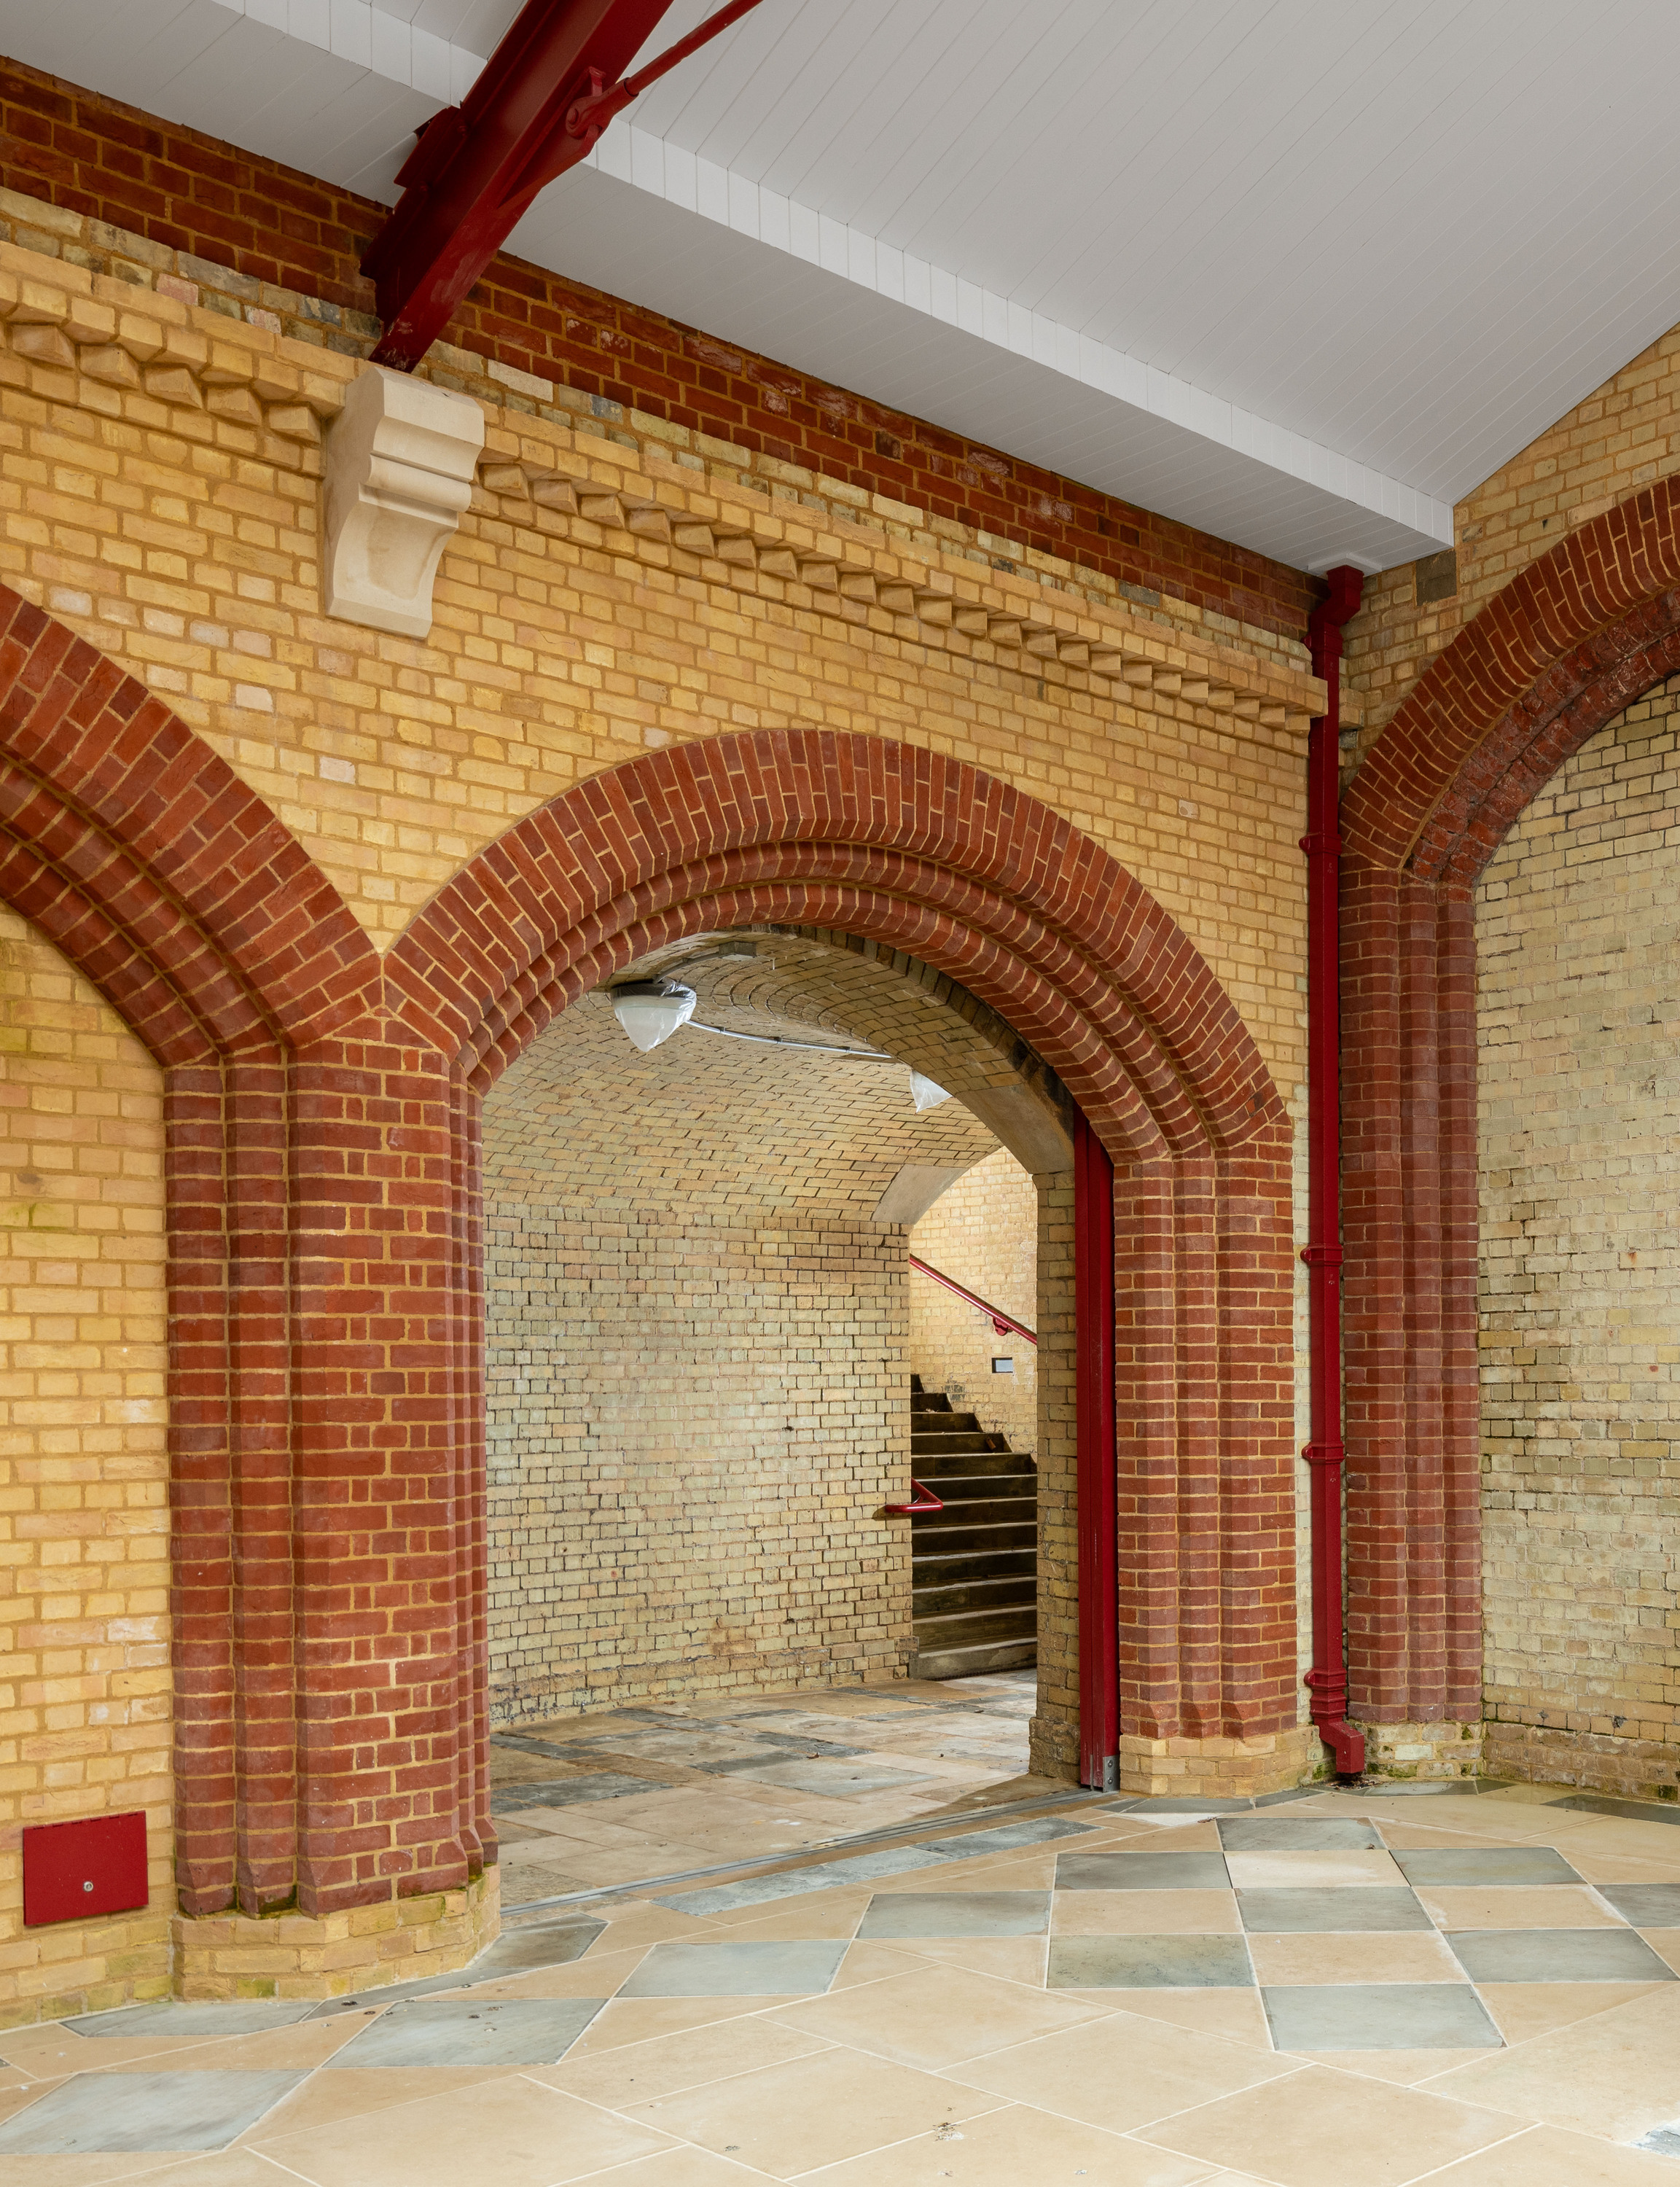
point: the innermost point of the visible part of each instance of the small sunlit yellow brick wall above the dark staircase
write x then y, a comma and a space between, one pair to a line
985, 1232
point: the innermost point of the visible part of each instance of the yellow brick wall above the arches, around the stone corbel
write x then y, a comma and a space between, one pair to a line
165, 502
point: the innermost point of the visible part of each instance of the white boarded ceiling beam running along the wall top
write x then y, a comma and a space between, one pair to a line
679, 235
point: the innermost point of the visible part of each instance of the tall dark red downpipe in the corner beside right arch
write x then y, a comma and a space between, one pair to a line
1325, 1455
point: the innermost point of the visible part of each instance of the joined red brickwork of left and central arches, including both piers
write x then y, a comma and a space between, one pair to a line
325, 1289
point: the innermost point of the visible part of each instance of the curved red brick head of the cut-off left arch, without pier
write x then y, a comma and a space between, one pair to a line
154, 867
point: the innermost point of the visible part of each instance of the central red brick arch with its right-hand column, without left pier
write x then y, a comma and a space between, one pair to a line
1007, 898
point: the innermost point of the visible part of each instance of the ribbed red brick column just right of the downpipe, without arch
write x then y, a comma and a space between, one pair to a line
1410, 1235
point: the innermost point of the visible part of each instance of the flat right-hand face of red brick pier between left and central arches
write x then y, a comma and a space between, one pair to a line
386, 1390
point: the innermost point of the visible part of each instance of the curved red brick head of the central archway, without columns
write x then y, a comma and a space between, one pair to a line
821, 808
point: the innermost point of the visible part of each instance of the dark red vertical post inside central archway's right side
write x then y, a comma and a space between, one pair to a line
1097, 1480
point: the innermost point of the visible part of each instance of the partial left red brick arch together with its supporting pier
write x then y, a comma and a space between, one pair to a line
323, 1641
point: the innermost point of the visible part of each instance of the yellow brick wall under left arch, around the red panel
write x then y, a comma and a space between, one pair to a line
84, 1471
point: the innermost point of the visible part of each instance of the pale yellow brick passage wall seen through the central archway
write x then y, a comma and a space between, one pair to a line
697, 1364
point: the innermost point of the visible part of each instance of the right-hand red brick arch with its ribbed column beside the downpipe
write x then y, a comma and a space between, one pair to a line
1554, 657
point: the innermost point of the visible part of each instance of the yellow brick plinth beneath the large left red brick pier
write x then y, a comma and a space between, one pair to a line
364, 1950
